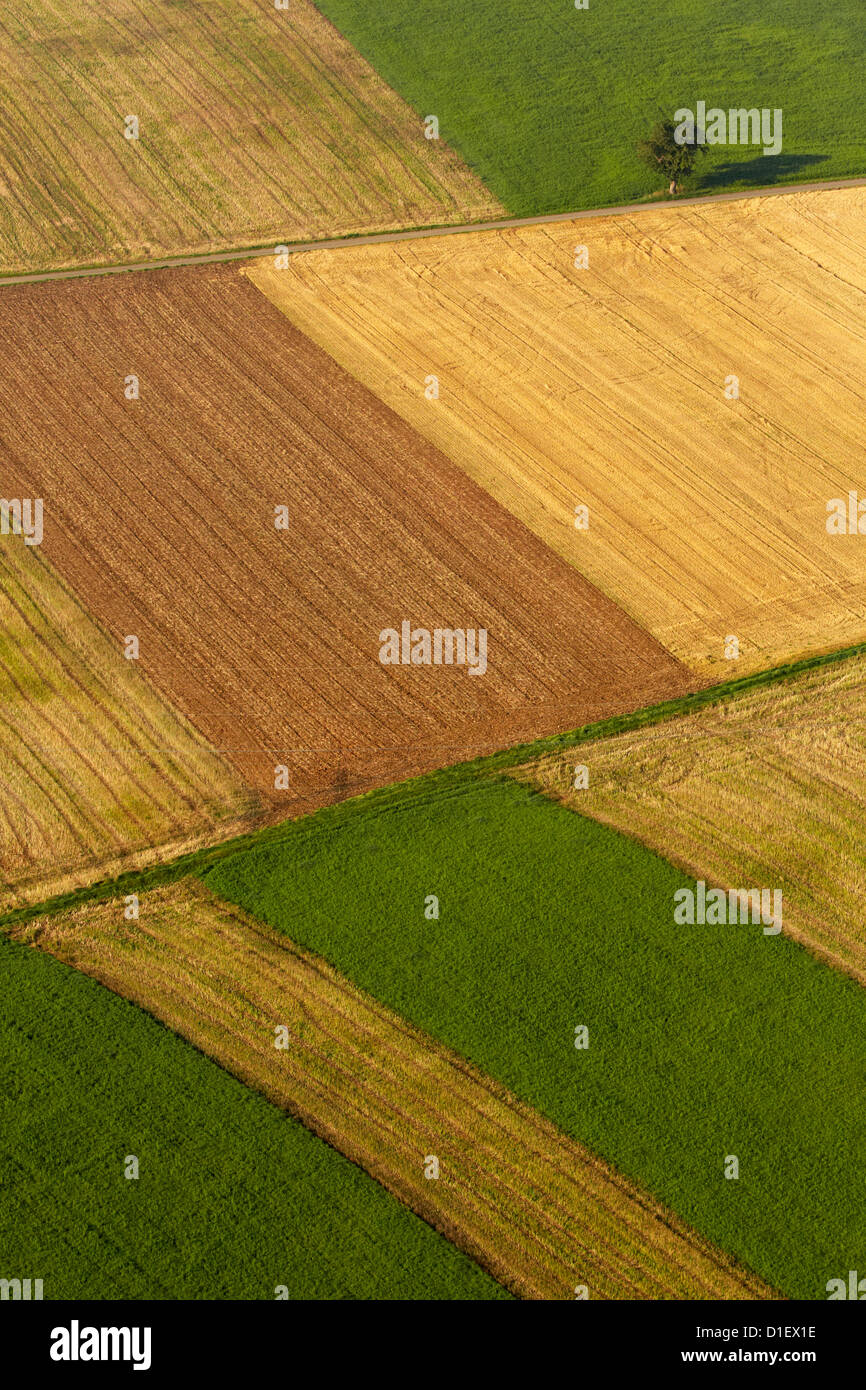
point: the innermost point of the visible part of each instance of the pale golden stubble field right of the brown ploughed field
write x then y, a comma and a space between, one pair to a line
605, 389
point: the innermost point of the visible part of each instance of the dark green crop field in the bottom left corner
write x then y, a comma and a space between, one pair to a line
233, 1199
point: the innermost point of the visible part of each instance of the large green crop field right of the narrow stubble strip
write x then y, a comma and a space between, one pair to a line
704, 1042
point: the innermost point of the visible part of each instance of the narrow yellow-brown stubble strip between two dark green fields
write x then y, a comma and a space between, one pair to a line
537, 1210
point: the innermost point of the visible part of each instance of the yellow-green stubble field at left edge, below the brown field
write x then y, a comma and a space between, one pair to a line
98, 772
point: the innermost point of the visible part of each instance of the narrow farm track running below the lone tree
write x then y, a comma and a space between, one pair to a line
262, 251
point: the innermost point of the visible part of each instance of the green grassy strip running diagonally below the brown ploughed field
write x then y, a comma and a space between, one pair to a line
457, 776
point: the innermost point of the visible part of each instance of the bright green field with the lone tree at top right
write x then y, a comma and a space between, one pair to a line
547, 102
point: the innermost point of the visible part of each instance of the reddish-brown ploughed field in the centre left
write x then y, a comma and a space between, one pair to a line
162, 514
